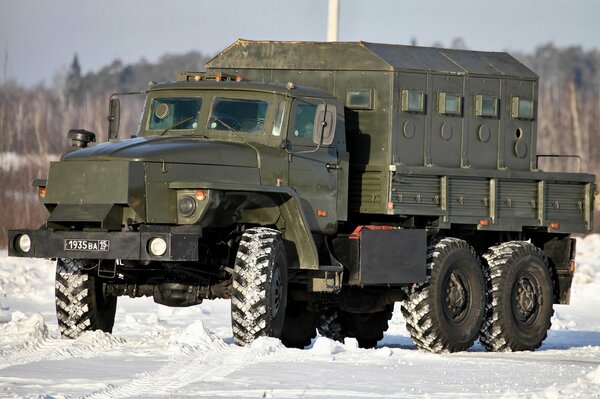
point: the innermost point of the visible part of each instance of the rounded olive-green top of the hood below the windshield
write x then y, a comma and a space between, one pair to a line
172, 150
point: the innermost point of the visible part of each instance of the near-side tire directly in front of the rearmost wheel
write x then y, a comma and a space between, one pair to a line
446, 313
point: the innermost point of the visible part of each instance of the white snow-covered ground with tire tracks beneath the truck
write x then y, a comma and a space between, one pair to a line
156, 351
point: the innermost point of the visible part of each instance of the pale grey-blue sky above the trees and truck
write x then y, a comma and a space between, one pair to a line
39, 37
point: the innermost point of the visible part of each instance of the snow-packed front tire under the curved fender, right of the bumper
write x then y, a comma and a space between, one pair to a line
259, 296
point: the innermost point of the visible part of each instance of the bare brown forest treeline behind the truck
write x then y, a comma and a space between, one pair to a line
34, 121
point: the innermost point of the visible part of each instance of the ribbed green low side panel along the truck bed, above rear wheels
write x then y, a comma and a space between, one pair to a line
498, 200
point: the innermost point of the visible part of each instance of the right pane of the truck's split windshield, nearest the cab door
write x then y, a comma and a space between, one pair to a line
238, 115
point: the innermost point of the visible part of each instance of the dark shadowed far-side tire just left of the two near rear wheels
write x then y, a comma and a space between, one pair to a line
367, 328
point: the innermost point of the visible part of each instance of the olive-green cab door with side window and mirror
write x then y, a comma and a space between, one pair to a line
314, 165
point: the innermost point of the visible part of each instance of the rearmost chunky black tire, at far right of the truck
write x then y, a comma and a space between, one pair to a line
520, 292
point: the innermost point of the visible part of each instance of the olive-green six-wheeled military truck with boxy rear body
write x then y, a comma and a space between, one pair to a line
316, 185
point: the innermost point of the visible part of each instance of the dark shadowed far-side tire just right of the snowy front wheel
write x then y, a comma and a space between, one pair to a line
300, 325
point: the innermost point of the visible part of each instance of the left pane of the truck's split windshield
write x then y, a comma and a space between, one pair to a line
174, 113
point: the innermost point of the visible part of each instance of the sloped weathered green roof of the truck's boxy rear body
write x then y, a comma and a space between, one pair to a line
364, 56
